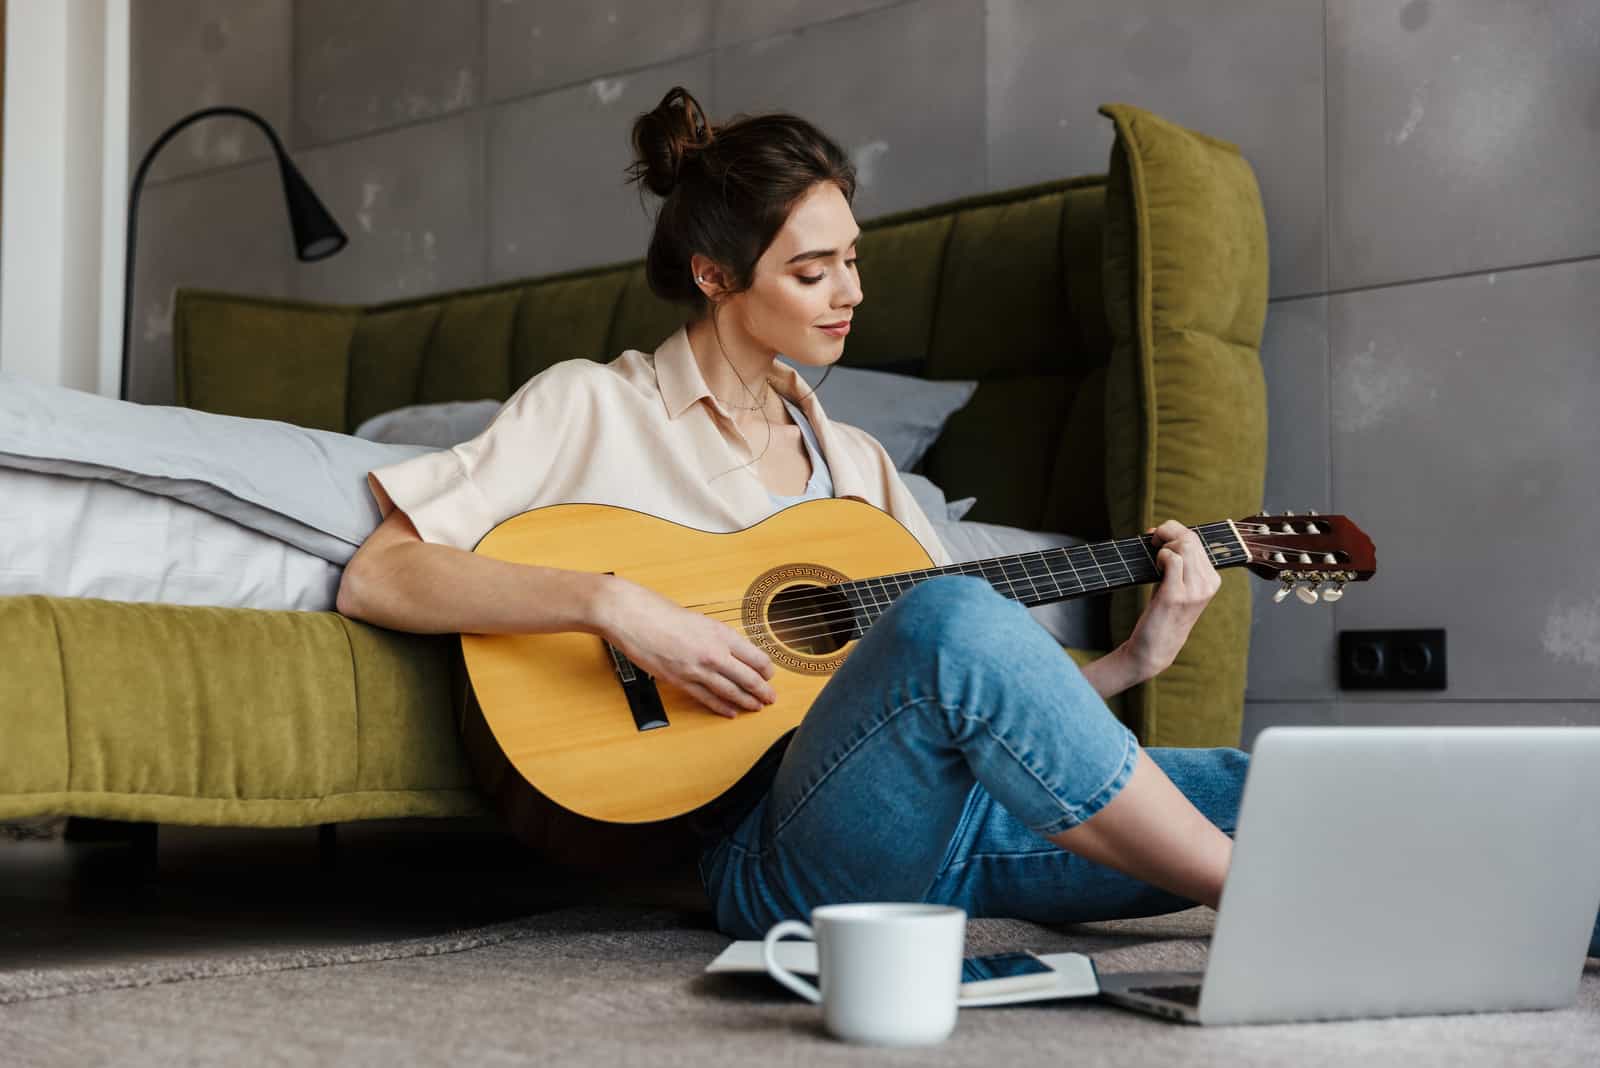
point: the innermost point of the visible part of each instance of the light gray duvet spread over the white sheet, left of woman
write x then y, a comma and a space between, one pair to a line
303, 487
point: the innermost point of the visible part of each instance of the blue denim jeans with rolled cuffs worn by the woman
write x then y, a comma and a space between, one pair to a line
932, 767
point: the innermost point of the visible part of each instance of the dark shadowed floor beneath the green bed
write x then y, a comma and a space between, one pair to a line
106, 896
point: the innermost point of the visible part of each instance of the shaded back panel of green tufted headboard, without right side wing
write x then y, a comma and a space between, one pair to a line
1002, 289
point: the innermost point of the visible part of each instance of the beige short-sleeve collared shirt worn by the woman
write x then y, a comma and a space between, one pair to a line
641, 432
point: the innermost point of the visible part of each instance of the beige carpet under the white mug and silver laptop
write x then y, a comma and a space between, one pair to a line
625, 986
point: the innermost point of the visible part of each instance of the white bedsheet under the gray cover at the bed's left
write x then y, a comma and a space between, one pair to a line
95, 538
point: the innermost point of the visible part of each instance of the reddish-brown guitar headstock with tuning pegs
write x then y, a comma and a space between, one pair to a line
1311, 552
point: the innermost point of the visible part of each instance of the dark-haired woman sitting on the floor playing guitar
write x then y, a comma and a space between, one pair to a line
959, 755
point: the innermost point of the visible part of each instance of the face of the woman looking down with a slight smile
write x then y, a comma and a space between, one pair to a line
806, 281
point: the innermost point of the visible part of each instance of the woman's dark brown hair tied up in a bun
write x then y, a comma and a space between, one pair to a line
726, 189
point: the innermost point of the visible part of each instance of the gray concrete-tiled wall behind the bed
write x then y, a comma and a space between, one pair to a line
1426, 165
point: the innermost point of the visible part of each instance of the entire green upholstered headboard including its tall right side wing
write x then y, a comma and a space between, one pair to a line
1113, 321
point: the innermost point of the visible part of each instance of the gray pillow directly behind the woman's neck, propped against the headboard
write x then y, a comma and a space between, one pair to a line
900, 410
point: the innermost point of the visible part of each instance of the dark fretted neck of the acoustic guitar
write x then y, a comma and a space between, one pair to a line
1052, 575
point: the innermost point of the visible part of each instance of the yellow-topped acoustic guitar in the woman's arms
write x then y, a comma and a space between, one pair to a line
599, 736
